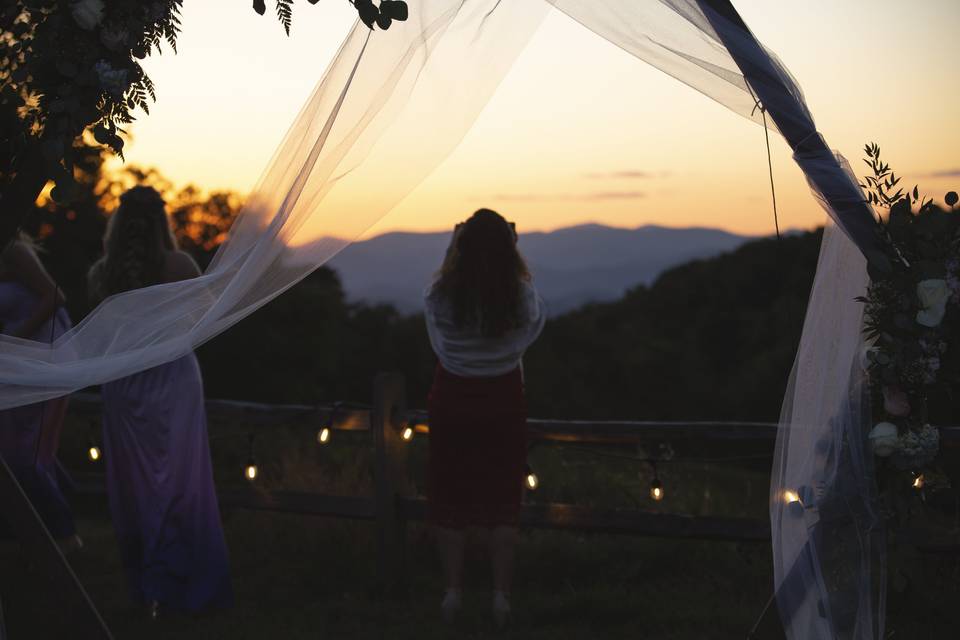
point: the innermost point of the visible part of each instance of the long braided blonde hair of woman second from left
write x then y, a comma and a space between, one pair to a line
138, 237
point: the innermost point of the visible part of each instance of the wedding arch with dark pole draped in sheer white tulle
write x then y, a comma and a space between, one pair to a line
390, 107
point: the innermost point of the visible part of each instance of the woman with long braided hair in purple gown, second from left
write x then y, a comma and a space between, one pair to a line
159, 476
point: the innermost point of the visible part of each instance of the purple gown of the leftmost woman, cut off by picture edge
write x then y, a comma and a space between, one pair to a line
30, 435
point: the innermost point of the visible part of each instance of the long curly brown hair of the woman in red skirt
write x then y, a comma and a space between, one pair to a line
483, 274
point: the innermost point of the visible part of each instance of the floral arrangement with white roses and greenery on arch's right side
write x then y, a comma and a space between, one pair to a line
912, 323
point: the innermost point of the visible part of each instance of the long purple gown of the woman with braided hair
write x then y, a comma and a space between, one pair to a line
160, 484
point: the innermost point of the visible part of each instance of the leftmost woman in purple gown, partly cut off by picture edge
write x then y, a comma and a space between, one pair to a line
31, 308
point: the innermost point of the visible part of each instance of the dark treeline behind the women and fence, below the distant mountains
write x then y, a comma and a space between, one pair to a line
712, 339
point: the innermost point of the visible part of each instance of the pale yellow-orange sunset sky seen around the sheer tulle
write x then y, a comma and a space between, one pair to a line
580, 131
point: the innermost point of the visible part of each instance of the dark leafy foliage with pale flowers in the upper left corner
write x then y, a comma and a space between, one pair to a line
68, 66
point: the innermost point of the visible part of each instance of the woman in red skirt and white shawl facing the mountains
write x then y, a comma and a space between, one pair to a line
482, 313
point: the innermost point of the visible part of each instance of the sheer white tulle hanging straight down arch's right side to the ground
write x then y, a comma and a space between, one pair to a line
828, 534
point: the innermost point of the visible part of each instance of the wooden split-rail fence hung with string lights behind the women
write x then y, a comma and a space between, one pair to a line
393, 503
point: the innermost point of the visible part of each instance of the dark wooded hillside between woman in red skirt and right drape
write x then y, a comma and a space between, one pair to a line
710, 340
